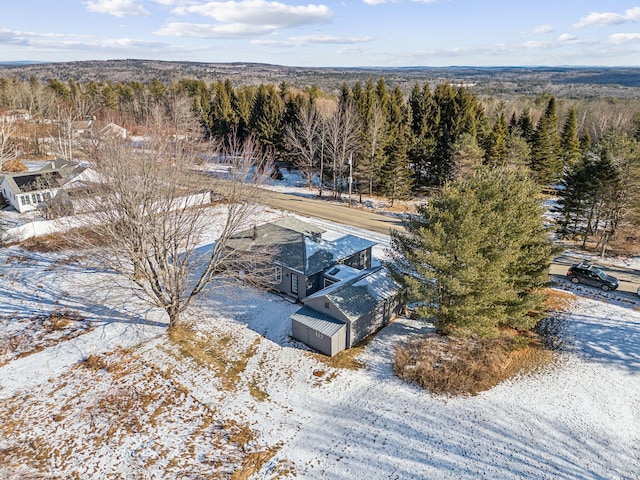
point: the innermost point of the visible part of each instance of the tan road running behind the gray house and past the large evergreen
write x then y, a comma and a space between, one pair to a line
375, 222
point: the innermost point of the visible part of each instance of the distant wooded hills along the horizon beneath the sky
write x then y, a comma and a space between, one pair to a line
579, 82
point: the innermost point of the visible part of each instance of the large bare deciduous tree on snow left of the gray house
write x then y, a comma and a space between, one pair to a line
151, 226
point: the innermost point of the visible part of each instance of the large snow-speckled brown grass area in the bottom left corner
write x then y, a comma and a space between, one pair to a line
111, 402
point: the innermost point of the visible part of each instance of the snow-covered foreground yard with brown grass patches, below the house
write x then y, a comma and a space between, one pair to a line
108, 394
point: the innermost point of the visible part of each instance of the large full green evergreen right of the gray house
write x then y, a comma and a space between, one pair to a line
477, 254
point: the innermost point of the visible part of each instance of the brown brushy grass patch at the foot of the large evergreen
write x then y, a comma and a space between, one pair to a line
455, 366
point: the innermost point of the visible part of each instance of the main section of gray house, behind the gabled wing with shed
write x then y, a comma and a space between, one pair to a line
301, 256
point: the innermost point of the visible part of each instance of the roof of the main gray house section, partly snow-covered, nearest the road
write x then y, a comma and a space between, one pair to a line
299, 245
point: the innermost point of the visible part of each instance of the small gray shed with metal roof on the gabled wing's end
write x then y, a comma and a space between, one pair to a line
319, 331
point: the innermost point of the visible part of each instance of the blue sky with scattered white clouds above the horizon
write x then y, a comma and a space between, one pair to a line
326, 32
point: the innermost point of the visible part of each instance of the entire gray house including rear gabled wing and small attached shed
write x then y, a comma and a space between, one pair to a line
344, 298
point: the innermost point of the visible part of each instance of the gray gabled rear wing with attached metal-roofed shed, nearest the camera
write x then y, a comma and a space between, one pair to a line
345, 313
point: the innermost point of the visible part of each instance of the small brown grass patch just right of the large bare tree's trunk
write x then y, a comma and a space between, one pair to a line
228, 361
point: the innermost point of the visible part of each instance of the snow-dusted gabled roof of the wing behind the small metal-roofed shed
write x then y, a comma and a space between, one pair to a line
359, 295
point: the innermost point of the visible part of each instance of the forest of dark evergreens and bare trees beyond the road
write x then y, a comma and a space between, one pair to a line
389, 141
